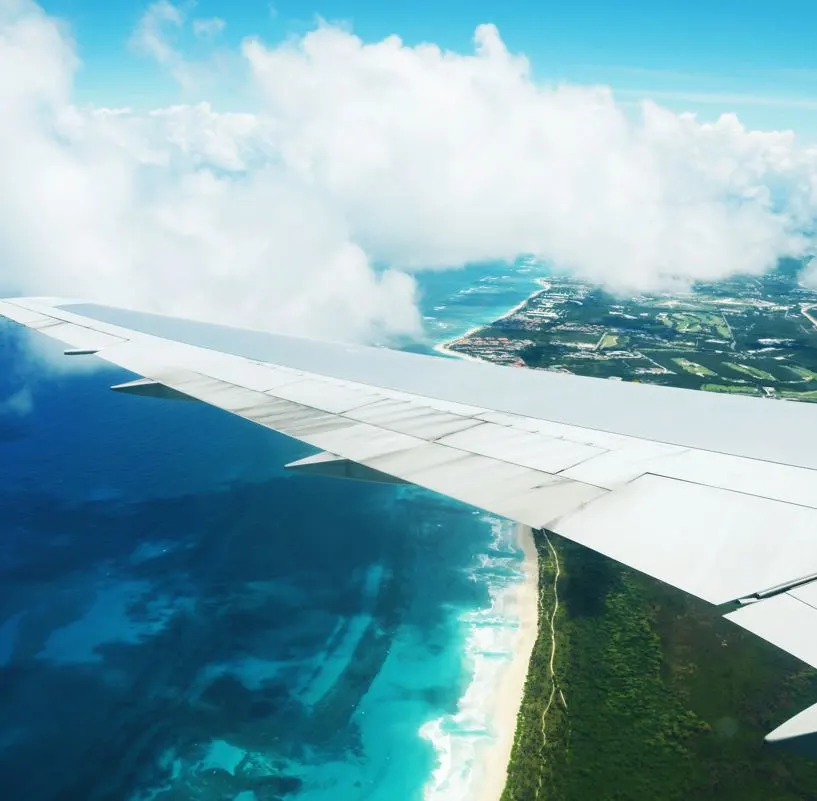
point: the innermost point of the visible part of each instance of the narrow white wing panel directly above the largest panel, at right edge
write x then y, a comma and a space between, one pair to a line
766, 479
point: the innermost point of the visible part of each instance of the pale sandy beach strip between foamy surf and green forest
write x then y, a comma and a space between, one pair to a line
507, 698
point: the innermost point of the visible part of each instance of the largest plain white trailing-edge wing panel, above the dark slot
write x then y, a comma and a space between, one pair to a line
716, 544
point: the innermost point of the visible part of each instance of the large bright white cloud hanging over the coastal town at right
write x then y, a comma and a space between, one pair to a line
439, 158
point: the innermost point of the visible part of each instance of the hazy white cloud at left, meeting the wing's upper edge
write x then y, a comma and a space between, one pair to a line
162, 210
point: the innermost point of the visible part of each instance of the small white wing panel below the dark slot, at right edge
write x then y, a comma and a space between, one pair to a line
784, 621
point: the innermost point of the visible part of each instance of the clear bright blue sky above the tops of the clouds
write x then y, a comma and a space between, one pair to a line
754, 58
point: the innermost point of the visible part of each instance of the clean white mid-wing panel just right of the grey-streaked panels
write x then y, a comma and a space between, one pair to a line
547, 454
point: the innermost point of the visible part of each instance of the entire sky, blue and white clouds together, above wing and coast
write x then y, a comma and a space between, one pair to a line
352, 158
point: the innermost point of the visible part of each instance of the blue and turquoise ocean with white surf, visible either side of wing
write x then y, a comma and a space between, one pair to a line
180, 619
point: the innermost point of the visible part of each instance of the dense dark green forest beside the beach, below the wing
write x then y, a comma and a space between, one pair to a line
664, 698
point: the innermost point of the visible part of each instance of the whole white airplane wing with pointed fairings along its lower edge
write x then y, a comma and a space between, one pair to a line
713, 494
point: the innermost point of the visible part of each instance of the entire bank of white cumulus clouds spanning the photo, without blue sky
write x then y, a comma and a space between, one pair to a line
364, 154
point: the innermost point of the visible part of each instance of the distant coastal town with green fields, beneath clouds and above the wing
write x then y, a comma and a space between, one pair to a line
753, 335
